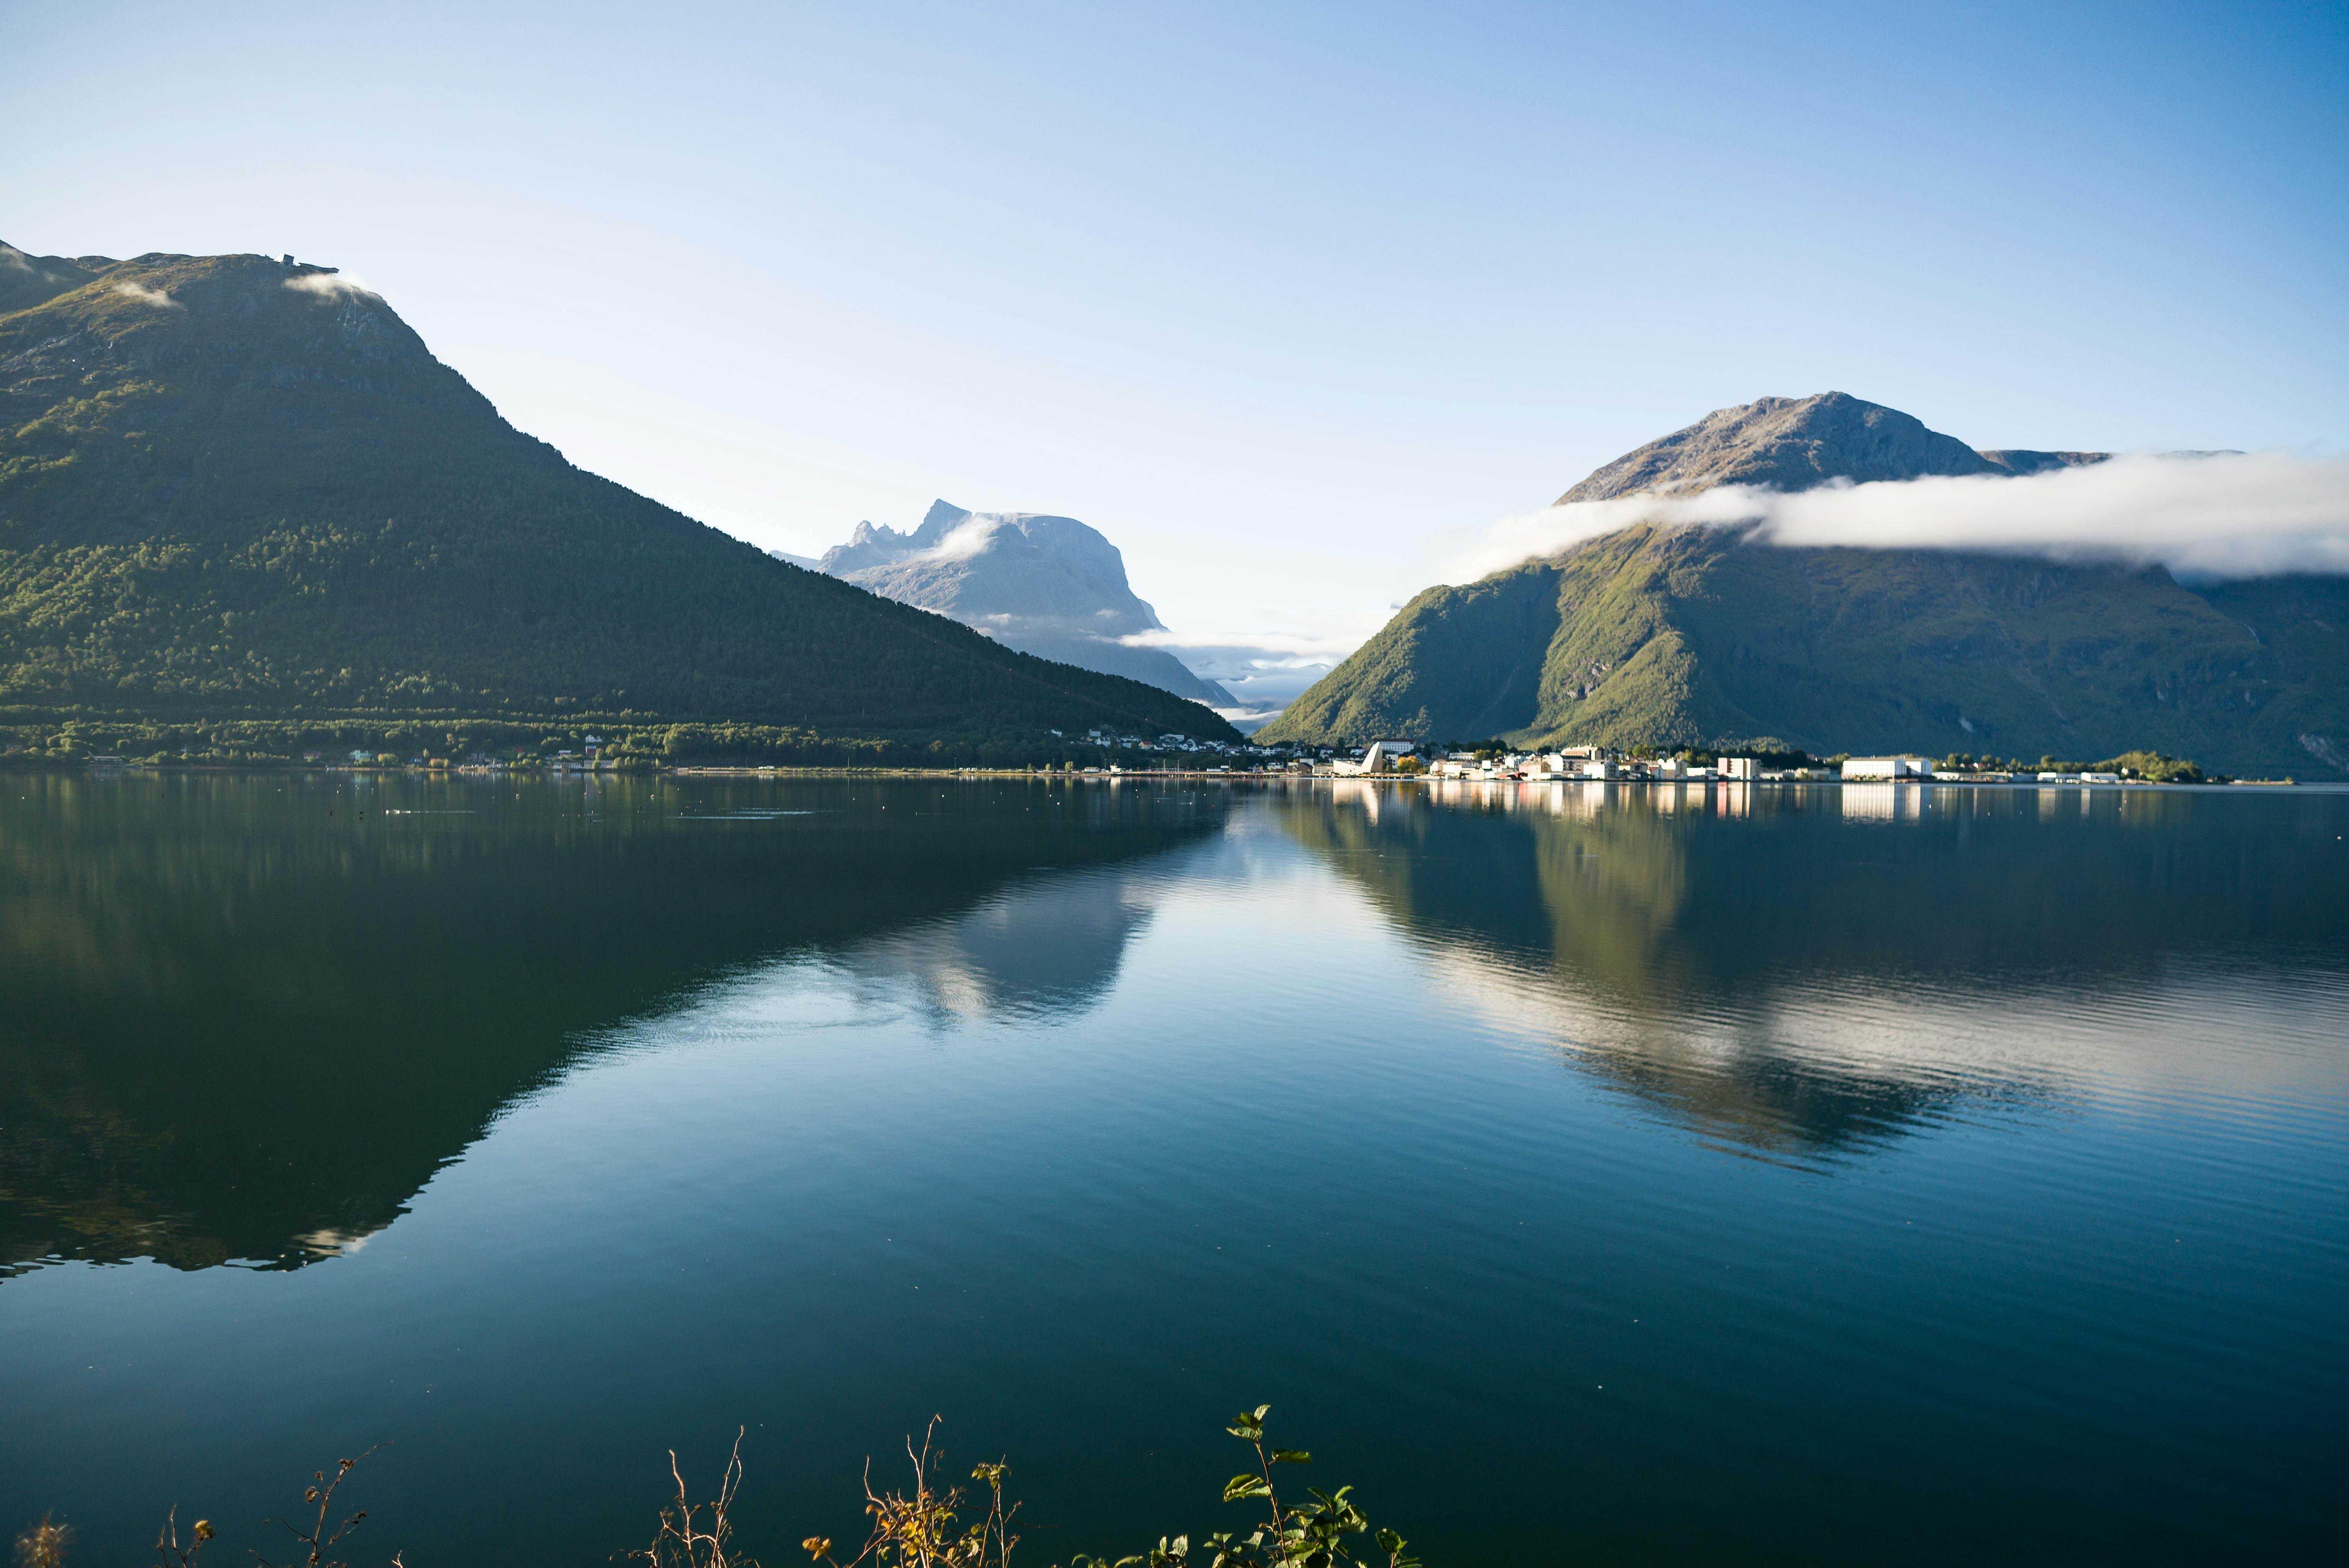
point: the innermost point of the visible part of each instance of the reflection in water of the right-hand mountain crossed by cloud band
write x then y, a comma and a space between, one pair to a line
1742, 961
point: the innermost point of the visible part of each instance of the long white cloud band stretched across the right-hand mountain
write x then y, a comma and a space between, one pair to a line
2226, 515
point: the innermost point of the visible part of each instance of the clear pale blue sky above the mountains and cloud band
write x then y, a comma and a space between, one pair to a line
1291, 302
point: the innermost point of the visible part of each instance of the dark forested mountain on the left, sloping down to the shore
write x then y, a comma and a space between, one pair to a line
245, 487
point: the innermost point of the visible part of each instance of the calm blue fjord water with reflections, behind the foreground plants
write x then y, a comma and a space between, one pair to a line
1603, 1172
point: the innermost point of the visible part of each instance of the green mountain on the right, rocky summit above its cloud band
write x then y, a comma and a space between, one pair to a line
1688, 637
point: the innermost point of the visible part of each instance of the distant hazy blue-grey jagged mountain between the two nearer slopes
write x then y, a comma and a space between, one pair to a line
1046, 586
